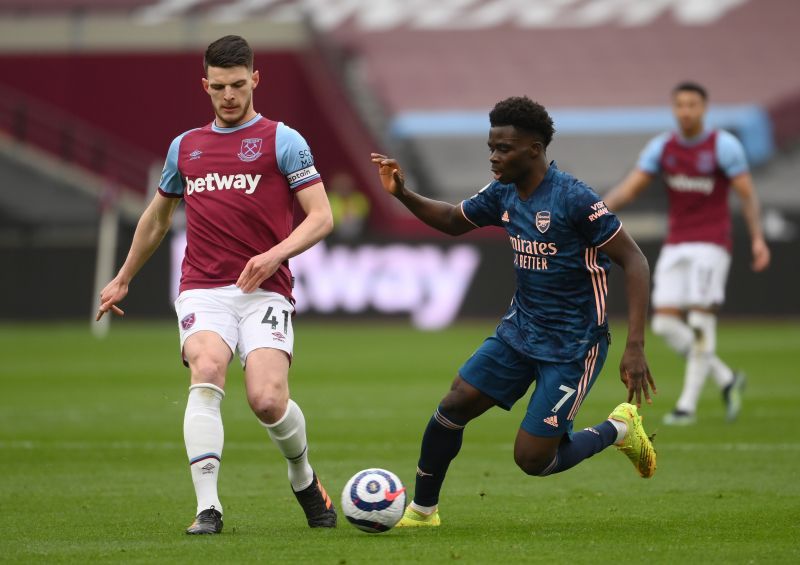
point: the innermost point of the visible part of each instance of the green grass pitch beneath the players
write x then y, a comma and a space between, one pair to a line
94, 468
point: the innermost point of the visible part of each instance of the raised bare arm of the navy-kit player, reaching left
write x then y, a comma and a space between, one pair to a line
442, 216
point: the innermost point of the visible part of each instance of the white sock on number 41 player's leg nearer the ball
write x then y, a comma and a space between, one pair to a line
289, 434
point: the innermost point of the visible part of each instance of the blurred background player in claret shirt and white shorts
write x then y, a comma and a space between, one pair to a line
699, 166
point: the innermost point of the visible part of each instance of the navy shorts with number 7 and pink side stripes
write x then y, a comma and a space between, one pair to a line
503, 374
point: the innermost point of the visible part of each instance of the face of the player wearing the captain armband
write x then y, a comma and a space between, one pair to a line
231, 92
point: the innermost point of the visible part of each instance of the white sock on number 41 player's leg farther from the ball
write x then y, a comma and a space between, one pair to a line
204, 436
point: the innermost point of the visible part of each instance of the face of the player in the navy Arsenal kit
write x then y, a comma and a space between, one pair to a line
512, 153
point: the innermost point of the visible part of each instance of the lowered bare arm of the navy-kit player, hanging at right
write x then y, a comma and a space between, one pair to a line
633, 369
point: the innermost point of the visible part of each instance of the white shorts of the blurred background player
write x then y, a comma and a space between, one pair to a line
690, 274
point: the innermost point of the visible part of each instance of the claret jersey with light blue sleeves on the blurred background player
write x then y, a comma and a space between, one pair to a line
697, 174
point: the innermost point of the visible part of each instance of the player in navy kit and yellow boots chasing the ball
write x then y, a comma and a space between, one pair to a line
555, 331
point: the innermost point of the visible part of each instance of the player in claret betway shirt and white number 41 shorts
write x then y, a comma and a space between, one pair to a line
238, 177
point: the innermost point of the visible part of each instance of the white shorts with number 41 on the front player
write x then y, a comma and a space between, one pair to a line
244, 321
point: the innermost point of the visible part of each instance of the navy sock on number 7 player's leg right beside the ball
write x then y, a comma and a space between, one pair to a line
441, 442
